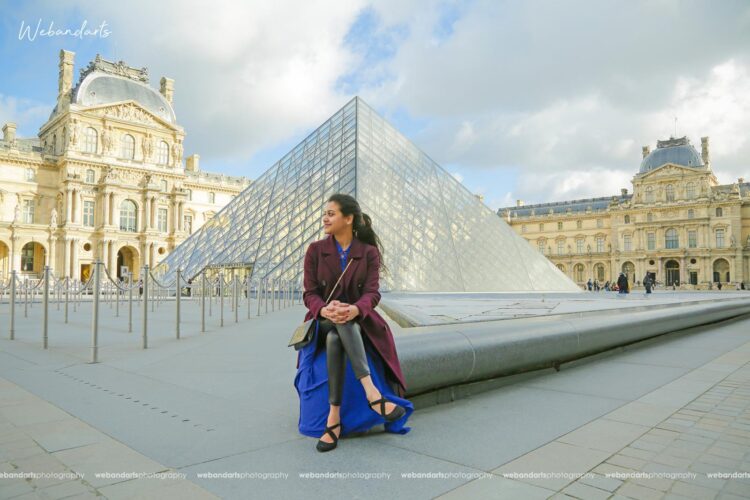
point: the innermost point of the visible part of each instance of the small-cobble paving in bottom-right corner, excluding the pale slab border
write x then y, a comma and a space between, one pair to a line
708, 437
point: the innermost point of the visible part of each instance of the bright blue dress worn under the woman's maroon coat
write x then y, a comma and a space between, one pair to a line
311, 382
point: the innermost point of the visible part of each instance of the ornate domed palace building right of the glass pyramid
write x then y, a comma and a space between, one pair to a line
679, 224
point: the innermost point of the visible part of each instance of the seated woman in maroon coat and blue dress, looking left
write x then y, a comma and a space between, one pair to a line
348, 377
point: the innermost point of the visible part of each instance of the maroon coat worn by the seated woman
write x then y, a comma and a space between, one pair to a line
361, 284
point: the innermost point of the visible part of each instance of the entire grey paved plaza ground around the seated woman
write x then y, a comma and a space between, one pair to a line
214, 415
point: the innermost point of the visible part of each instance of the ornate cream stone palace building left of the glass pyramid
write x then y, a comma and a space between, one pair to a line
105, 178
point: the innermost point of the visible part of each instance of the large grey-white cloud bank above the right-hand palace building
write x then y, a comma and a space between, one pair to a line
565, 94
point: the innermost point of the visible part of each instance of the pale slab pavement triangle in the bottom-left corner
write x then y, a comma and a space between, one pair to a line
46, 453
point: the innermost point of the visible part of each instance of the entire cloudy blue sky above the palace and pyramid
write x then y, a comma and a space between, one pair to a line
534, 100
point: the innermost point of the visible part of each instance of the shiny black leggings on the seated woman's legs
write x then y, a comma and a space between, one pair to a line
340, 340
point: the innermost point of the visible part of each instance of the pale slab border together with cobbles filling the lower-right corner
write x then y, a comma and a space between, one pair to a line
645, 449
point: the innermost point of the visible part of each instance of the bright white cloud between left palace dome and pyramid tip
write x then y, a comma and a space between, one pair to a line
248, 75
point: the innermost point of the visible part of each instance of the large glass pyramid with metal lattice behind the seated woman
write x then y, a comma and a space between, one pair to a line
437, 235
